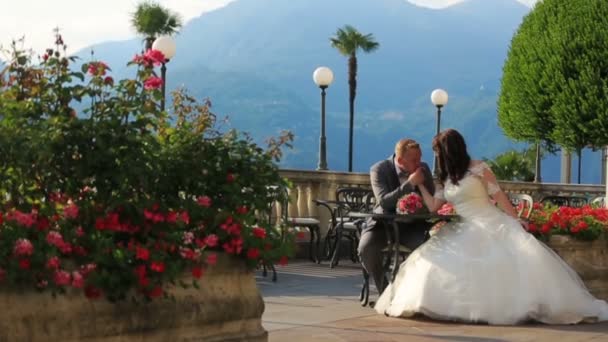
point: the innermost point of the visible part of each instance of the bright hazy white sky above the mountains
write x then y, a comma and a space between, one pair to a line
86, 22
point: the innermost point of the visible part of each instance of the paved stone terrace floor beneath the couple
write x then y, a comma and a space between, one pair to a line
311, 302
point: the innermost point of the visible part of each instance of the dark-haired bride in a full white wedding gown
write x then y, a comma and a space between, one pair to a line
485, 267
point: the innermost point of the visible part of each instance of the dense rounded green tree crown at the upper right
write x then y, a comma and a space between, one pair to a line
555, 79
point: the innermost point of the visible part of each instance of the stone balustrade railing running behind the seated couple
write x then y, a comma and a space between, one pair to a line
309, 185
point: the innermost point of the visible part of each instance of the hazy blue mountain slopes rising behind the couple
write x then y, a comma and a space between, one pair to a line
254, 59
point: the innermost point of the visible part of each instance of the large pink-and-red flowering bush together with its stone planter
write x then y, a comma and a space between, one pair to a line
120, 220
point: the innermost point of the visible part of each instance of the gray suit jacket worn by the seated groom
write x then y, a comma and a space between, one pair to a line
387, 190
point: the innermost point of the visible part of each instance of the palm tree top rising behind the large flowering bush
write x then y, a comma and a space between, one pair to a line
152, 20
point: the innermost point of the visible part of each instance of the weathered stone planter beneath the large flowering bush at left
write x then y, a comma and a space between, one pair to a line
227, 307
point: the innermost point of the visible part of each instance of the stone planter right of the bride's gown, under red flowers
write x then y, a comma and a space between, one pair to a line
588, 258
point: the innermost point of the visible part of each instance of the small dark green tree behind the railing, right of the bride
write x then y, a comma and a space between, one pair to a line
514, 165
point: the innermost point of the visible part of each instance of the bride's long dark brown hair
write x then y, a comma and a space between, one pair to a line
452, 157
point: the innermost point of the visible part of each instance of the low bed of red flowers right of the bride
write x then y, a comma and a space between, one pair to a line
585, 223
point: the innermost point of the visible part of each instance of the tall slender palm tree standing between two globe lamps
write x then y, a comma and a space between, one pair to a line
348, 41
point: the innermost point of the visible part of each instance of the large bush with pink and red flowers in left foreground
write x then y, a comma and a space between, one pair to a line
117, 197
